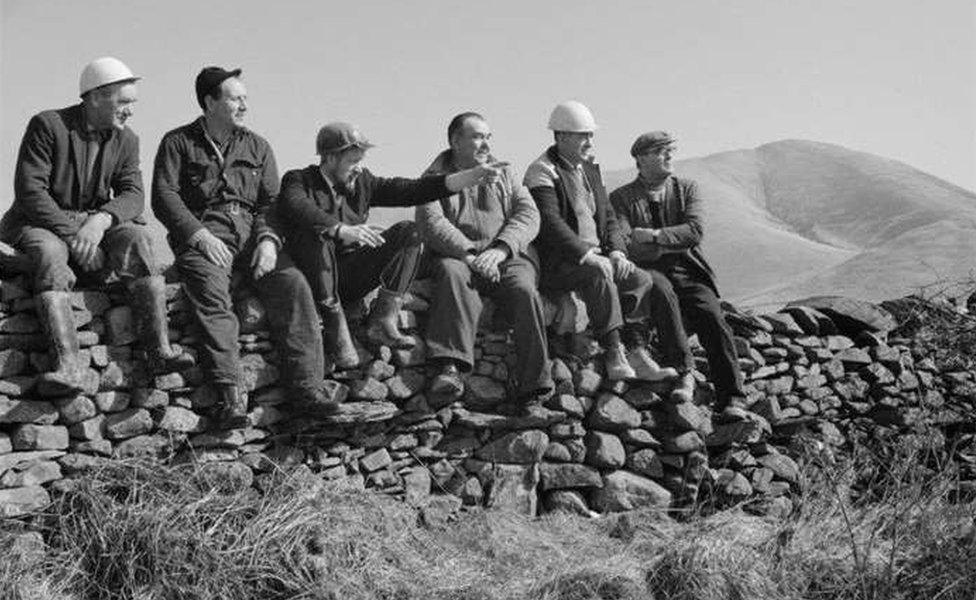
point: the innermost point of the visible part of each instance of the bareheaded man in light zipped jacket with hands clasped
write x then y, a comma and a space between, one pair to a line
479, 243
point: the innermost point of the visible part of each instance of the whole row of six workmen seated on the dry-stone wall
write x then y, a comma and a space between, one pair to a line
305, 242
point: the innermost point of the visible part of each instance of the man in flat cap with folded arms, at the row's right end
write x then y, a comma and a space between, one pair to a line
662, 220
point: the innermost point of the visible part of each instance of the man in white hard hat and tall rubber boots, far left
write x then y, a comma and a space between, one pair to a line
78, 201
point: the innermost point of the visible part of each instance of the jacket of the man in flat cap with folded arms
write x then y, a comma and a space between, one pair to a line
681, 227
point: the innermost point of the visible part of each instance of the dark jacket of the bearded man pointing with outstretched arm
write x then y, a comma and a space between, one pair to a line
308, 204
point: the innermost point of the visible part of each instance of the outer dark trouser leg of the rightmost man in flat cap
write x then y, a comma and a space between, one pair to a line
701, 310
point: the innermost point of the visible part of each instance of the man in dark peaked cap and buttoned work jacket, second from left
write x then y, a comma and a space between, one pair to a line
215, 184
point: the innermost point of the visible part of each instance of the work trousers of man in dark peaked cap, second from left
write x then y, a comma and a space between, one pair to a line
292, 319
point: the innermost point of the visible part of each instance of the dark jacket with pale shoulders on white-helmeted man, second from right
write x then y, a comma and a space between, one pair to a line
558, 238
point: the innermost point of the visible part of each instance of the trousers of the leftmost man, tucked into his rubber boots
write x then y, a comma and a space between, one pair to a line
126, 246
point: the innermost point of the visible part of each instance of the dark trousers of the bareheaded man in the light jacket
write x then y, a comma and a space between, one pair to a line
457, 306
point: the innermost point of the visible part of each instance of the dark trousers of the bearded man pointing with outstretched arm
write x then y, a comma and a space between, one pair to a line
338, 274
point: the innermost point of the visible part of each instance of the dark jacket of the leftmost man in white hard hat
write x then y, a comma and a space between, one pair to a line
47, 181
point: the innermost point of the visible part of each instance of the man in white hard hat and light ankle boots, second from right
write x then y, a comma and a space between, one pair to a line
582, 250
